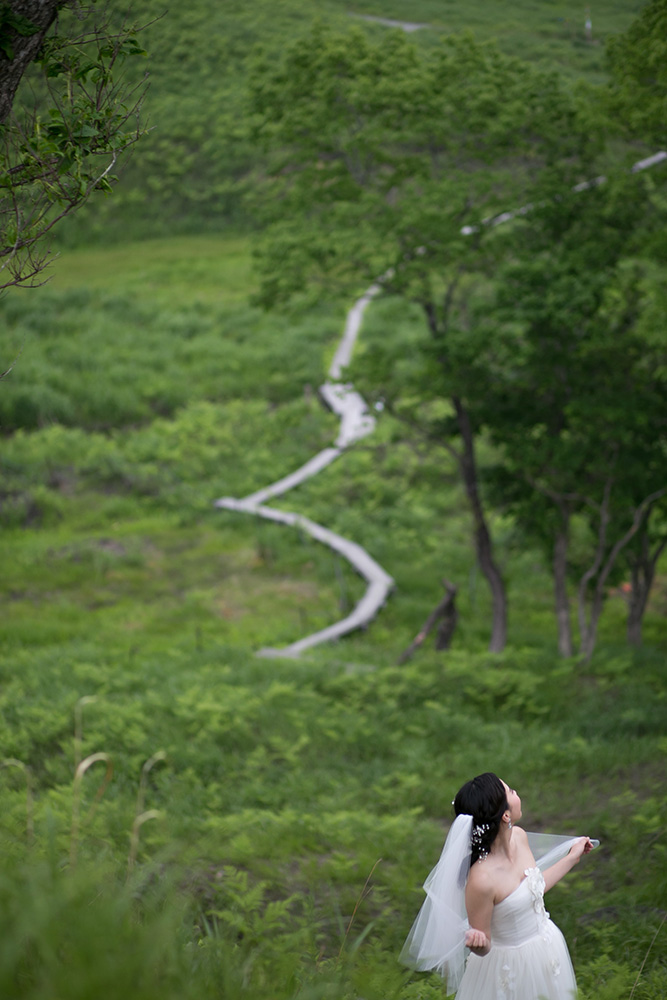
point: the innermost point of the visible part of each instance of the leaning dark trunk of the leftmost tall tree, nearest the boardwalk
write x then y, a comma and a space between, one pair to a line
483, 543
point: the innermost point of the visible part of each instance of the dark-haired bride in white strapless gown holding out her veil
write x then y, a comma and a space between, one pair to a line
485, 899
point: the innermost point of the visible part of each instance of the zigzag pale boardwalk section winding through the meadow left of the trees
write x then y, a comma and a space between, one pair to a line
356, 422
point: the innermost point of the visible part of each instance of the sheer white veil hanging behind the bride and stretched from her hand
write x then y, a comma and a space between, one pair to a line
437, 939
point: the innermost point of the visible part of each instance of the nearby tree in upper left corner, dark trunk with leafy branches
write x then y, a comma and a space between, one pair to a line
61, 138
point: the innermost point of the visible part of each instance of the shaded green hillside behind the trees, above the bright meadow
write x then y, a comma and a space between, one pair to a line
187, 175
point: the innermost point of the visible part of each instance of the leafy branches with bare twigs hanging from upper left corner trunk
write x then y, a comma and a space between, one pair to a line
54, 155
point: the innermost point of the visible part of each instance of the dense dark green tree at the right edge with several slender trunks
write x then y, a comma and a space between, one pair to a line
575, 391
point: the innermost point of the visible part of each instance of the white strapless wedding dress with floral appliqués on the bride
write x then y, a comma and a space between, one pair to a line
528, 959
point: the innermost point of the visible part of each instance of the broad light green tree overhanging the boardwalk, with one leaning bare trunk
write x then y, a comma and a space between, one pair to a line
386, 162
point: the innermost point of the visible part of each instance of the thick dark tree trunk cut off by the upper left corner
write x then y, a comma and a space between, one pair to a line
13, 17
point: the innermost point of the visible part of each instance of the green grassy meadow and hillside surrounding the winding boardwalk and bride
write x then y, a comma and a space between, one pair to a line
267, 824
